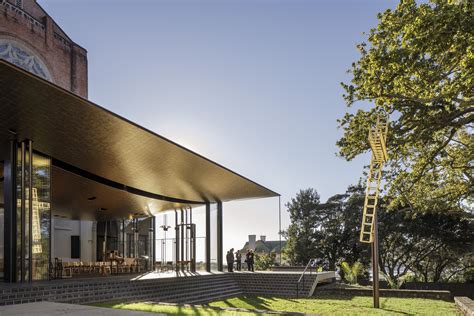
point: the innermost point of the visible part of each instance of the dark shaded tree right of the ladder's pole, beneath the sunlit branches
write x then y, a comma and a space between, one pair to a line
434, 246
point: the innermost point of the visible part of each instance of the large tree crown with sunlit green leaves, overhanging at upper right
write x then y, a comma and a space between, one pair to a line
418, 66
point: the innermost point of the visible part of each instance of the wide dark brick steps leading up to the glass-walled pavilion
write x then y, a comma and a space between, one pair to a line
171, 290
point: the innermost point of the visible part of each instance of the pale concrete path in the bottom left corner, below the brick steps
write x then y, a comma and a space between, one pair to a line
53, 309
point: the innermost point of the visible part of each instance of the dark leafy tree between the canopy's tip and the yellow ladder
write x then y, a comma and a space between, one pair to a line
326, 231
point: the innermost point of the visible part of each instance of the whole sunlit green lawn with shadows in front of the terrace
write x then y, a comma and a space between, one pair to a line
323, 304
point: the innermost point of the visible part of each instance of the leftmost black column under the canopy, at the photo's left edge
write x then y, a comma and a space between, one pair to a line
10, 231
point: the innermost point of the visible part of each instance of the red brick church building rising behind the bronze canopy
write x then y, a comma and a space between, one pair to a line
30, 39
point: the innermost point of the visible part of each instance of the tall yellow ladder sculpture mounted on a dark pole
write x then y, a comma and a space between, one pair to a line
377, 140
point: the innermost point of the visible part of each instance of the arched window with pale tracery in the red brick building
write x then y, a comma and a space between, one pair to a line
21, 56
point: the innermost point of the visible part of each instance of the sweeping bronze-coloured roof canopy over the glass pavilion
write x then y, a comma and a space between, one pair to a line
88, 140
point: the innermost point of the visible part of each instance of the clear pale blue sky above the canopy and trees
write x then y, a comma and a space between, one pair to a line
253, 85
